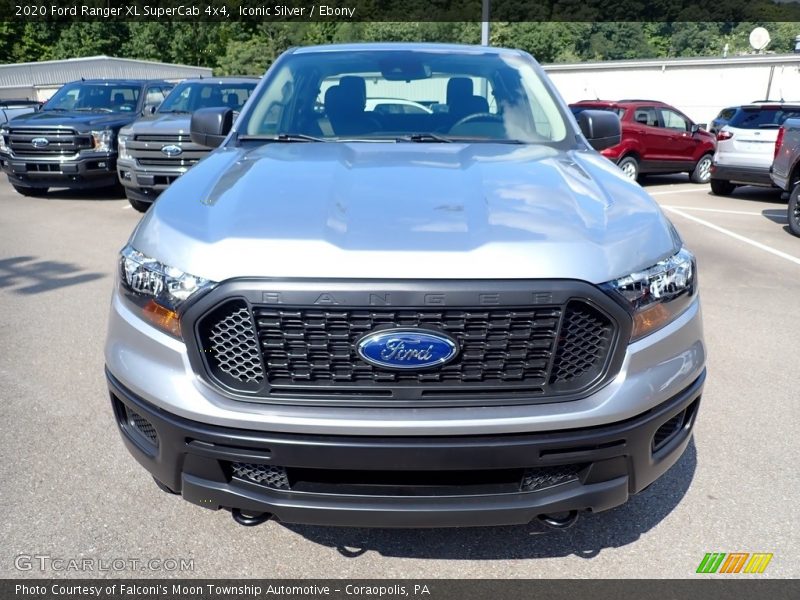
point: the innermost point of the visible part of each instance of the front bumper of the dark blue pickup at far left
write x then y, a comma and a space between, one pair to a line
86, 171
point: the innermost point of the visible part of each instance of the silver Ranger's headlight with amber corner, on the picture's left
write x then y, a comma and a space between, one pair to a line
156, 289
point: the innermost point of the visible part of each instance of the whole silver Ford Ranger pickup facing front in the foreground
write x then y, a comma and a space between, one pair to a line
465, 316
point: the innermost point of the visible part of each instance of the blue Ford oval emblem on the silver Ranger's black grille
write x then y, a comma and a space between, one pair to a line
407, 348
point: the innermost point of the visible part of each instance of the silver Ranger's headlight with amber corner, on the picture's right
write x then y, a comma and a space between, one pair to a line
658, 294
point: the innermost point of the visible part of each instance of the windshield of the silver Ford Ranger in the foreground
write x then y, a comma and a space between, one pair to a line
429, 96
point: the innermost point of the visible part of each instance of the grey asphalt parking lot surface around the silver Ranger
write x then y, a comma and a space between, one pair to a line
71, 490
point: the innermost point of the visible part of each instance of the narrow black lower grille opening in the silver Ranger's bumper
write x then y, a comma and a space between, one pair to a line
405, 483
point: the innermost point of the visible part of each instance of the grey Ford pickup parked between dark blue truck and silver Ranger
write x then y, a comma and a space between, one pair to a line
155, 150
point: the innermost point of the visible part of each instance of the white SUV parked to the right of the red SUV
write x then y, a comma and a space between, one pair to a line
745, 146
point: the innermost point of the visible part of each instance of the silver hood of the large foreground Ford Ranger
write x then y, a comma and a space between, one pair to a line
405, 210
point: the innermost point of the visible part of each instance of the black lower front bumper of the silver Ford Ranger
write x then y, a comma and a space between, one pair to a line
420, 481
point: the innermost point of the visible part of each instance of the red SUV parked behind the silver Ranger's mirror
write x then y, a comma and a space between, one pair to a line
656, 138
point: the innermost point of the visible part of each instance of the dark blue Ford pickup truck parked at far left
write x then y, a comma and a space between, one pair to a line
72, 141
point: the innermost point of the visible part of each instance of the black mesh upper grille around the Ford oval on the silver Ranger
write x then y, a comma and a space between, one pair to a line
505, 352
